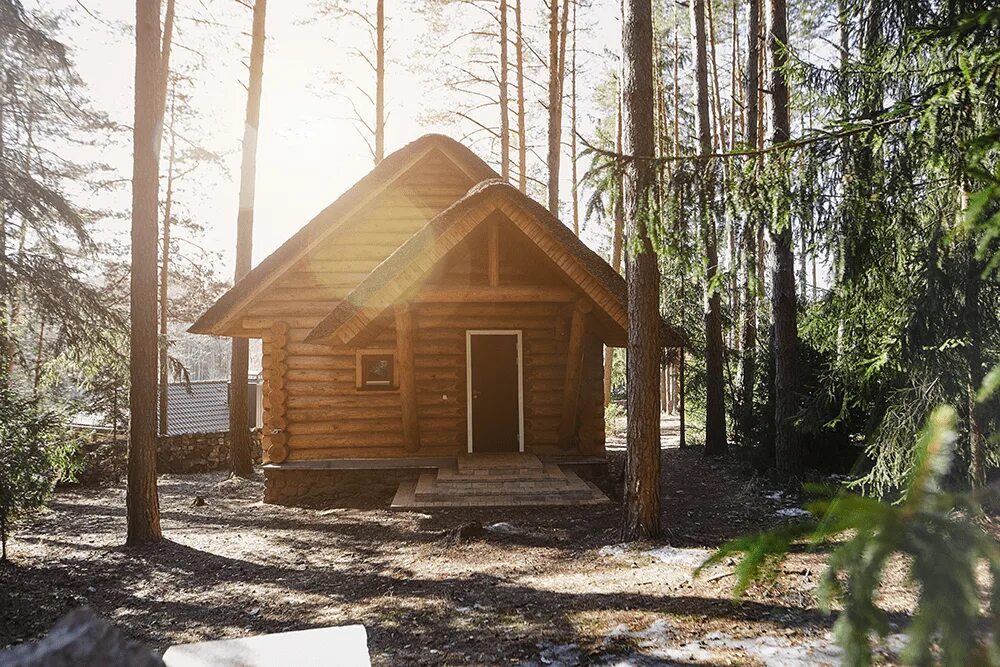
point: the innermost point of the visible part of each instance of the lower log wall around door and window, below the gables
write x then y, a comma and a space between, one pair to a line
314, 410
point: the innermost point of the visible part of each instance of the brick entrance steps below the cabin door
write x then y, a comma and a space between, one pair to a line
498, 481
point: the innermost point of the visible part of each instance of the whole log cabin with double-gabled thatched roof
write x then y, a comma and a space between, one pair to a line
431, 316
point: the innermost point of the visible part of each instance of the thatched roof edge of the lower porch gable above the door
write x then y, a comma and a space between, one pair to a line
397, 275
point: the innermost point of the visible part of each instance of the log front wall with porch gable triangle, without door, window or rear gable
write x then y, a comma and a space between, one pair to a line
325, 415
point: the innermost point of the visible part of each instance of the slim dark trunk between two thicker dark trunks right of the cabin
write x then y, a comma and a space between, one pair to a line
748, 361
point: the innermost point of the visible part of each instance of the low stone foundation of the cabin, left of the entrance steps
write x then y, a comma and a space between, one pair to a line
374, 488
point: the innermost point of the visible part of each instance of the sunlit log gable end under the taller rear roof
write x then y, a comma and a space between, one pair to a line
312, 286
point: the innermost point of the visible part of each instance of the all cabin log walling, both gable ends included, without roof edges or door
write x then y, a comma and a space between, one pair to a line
313, 408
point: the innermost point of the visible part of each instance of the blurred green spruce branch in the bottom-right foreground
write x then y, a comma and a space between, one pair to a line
935, 530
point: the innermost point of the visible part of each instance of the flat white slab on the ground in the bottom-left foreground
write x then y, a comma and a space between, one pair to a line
345, 646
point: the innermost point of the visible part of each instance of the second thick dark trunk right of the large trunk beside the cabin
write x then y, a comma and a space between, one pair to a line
788, 455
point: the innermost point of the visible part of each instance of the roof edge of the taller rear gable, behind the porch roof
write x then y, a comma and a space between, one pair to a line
332, 217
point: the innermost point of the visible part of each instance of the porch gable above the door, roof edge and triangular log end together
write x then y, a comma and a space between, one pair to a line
540, 268
